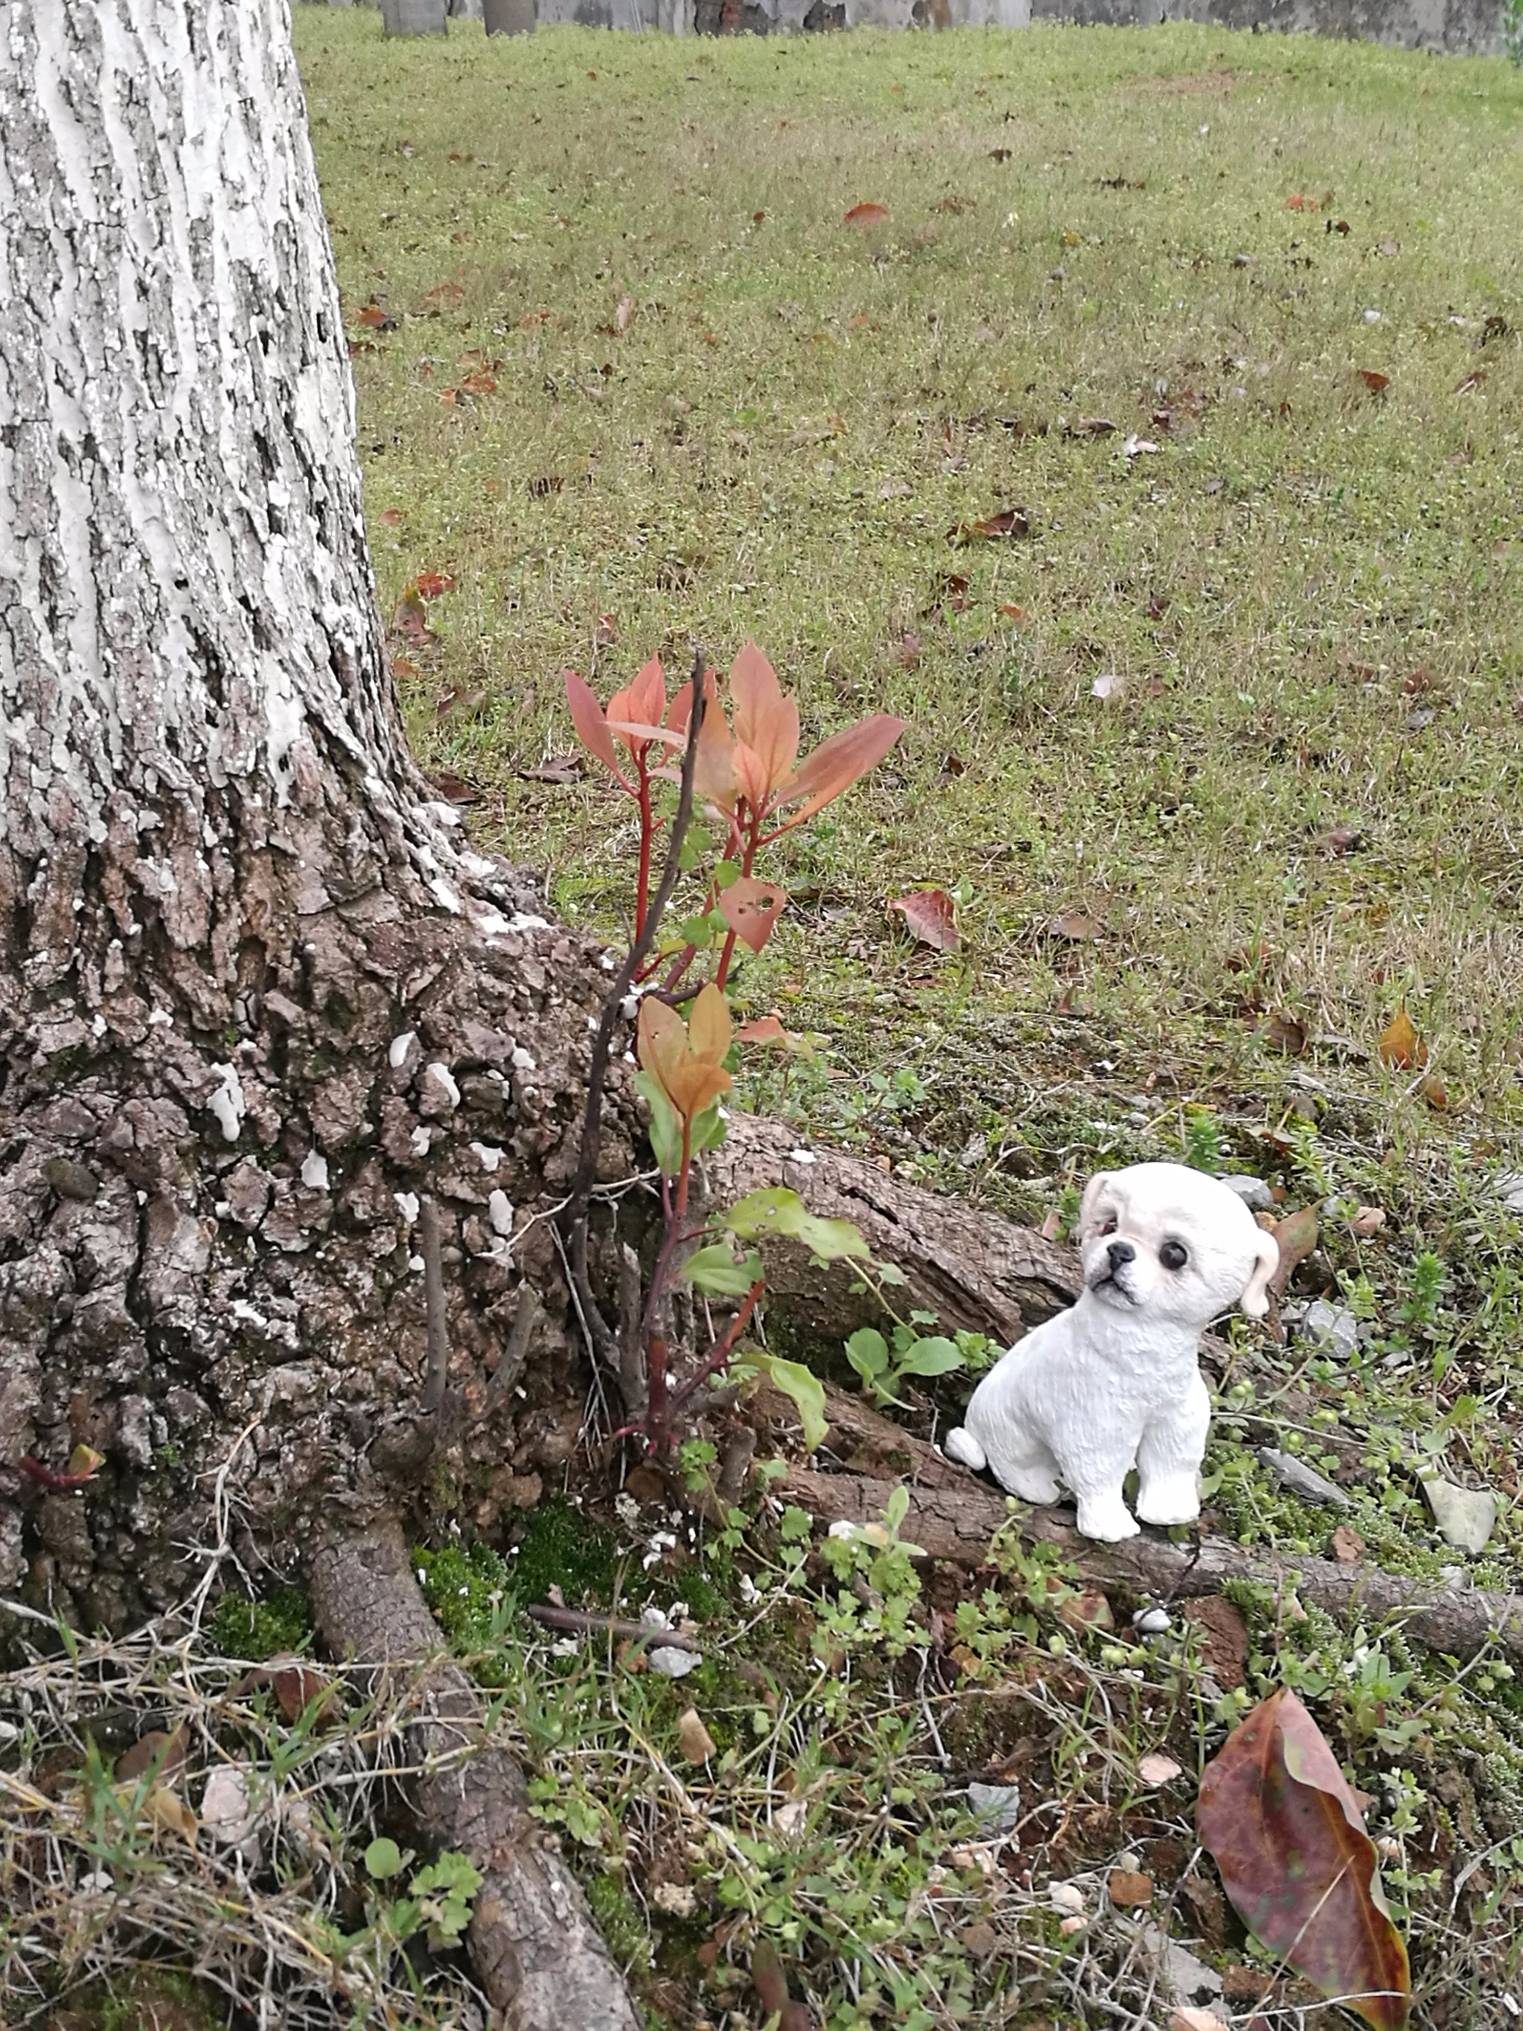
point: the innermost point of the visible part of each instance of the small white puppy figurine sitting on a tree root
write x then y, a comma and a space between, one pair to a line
1114, 1382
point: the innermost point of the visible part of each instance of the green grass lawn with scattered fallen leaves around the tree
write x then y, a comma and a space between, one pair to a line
1223, 763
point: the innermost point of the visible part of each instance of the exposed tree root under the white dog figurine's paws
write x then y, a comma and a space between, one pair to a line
953, 1518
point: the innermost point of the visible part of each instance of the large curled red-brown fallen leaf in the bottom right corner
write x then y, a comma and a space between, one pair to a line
1299, 1868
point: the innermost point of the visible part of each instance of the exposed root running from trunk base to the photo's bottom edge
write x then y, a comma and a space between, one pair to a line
533, 1943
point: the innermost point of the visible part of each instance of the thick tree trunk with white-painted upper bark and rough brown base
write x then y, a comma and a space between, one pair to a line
257, 998
